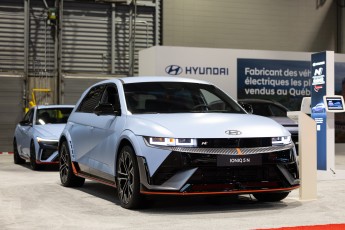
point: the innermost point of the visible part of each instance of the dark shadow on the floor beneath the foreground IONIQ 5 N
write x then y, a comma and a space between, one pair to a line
190, 204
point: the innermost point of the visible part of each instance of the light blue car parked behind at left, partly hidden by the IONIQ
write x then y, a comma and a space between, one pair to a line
36, 136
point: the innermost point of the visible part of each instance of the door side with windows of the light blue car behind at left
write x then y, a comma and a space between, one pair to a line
24, 133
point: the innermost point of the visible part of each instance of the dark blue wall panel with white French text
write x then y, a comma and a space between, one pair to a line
284, 81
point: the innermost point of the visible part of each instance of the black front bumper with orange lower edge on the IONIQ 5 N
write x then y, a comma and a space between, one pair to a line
203, 171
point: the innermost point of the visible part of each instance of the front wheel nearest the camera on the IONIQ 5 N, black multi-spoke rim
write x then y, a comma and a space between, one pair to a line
128, 179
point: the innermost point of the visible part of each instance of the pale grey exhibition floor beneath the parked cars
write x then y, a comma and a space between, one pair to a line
36, 200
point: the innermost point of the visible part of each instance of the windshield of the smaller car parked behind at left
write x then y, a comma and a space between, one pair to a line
52, 115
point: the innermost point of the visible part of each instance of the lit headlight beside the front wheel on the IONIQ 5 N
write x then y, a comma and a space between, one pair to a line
168, 141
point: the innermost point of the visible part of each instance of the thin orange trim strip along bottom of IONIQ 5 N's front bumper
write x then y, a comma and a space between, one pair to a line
218, 193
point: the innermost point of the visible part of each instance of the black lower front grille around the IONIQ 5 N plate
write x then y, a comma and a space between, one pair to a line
210, 173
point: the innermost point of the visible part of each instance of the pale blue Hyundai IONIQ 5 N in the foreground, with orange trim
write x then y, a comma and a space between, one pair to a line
174, 136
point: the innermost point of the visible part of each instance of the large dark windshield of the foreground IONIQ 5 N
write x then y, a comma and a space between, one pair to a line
177, 97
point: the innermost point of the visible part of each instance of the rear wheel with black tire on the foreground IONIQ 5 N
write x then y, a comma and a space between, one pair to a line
67, 177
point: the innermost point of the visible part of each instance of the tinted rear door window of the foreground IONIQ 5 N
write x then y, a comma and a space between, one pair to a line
91, 100
